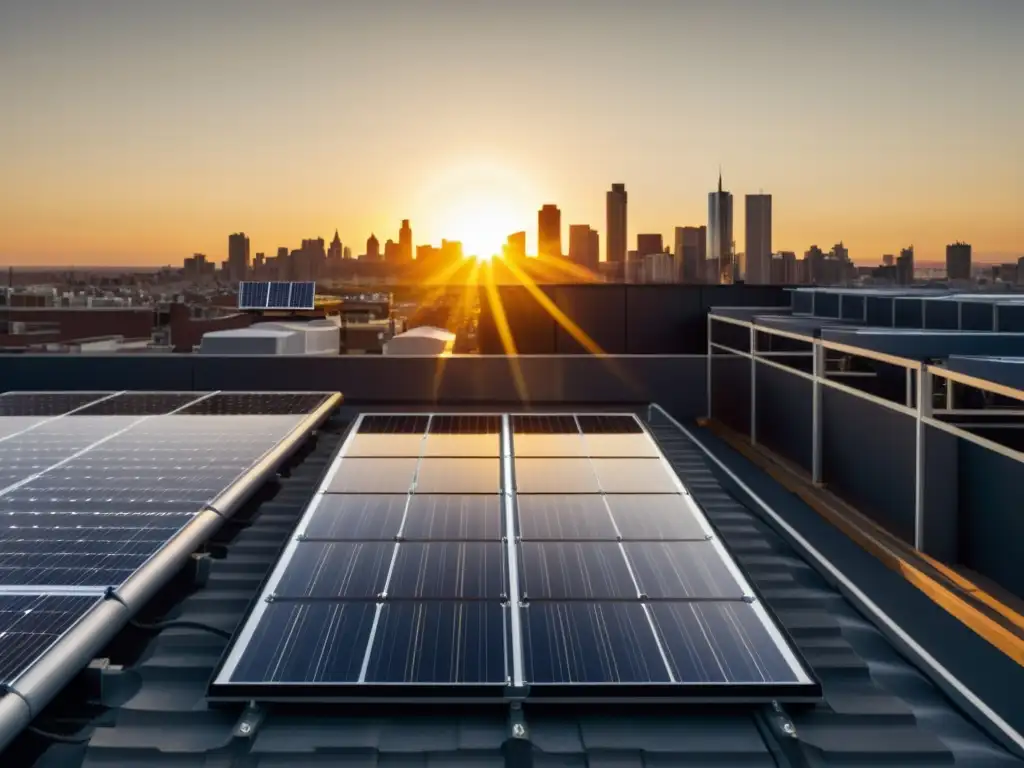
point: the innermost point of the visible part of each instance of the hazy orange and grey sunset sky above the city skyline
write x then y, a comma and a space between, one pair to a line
139, 132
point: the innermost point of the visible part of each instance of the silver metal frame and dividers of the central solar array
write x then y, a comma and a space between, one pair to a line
517, 688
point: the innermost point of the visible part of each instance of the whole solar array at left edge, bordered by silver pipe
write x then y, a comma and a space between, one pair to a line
94, 485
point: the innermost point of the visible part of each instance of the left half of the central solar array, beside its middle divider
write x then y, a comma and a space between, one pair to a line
399, 575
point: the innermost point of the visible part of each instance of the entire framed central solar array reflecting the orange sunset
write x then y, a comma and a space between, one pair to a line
481, 558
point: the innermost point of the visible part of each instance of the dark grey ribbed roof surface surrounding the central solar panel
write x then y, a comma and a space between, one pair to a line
879, 711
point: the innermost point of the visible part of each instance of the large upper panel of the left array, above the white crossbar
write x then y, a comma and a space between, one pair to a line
88, 500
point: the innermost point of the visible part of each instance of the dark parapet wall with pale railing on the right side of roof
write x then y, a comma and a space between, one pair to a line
932, 470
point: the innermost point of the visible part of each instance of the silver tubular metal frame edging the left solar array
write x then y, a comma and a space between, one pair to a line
33, 690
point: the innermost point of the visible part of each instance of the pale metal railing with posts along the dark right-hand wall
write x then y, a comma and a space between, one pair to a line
919, 404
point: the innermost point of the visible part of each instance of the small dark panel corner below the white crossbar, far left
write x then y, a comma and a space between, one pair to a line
30, 625
